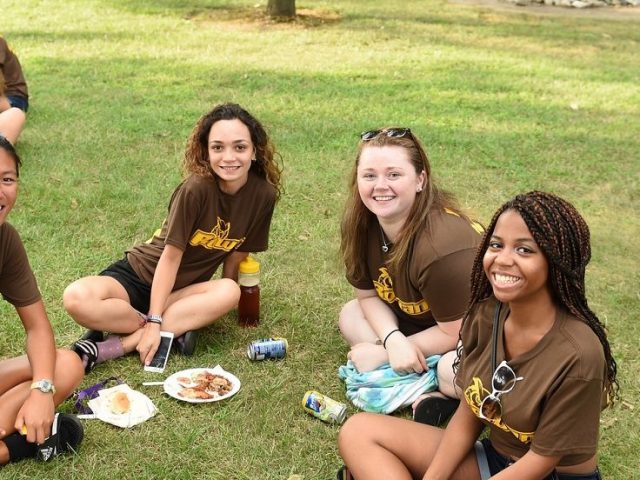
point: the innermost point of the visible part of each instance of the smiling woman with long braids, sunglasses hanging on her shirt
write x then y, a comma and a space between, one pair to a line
535, 366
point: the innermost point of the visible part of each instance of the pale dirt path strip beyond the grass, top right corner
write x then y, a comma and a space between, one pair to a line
608, 13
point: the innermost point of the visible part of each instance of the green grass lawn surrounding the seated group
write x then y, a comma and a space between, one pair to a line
505, 102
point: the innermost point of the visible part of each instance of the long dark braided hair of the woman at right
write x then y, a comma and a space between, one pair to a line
563, 236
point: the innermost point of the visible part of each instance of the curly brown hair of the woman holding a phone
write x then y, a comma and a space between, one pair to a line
196, 157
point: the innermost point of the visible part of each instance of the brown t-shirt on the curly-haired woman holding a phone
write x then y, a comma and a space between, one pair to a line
207, 225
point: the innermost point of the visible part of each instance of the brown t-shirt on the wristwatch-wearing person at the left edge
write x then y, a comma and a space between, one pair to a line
17, 282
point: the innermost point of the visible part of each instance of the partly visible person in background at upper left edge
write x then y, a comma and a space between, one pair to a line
14, 96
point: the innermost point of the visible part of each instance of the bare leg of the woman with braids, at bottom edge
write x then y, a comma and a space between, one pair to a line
382, 447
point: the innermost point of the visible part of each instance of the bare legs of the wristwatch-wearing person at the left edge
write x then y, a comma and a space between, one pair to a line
15, 383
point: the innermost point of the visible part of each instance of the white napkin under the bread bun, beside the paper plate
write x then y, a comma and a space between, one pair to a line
142, 408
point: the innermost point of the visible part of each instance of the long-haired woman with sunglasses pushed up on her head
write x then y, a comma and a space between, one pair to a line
408, 251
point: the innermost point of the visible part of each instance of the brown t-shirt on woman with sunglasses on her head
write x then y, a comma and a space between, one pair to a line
435, 286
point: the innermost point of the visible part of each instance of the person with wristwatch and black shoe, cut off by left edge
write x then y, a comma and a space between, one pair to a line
32, 385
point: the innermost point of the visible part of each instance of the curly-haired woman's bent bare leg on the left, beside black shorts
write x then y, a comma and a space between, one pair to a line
101, 303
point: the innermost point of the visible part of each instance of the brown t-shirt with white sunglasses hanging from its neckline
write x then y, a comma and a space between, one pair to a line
555, 408
